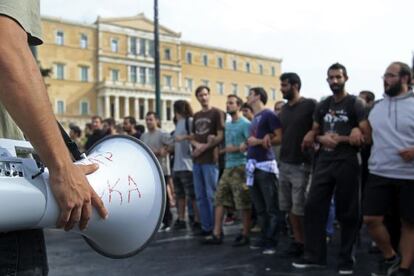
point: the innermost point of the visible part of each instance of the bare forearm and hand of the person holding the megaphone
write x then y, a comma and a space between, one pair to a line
24, 95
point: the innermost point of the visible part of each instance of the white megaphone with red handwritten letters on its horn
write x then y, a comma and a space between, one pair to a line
129, 181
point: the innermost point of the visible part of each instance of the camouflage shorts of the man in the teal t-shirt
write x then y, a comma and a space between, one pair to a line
232, 190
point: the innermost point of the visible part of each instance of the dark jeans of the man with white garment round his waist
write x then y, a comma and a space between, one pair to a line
265, 200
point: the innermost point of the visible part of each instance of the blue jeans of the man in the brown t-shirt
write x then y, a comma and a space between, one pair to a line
205, 178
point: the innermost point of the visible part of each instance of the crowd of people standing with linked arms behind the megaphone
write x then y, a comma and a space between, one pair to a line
346, 158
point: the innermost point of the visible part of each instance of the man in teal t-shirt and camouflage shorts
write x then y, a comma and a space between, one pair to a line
232, 190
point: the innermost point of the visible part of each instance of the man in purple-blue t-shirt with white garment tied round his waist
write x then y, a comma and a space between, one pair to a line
261, 168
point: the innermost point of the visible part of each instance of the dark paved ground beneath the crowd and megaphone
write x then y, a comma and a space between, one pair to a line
180, 253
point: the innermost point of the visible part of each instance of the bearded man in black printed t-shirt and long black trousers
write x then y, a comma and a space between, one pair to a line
336, 172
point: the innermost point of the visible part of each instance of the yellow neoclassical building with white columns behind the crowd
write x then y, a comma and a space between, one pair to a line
107, 68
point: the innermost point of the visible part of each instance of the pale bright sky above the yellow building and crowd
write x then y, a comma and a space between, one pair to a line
364, 35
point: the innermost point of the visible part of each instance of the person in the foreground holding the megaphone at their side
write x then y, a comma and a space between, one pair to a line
22, 89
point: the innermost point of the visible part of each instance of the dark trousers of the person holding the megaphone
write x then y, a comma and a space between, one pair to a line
23, 253
